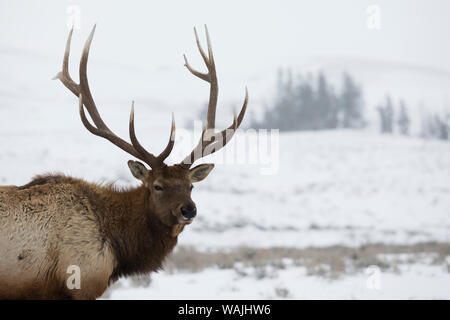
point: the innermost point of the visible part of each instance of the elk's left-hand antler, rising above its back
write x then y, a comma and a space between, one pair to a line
100, 129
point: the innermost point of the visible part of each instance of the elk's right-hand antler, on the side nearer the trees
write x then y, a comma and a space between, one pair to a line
210, 142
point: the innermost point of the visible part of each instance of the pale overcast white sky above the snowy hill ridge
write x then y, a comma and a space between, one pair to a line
255, 32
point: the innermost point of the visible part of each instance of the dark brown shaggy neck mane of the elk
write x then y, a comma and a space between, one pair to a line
140, 241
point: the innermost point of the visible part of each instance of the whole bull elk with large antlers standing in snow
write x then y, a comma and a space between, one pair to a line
57, 221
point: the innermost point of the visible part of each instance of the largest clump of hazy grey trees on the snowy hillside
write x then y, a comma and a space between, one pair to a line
311, 103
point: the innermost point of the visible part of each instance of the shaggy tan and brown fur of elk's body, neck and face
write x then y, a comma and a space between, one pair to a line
55, 221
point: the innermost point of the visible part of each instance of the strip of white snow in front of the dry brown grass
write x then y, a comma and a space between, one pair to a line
414, 282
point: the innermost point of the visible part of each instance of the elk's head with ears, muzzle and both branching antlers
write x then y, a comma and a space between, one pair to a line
169, 187
